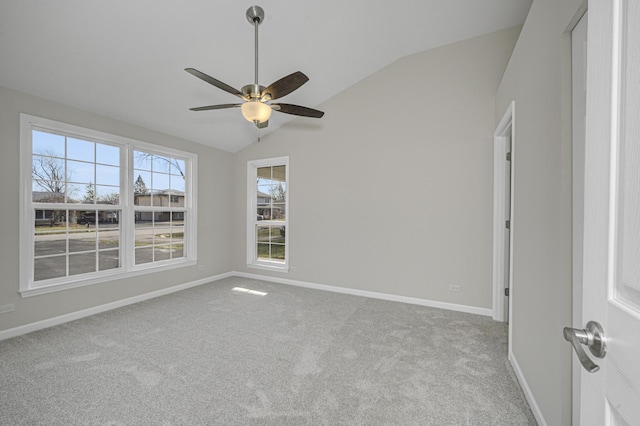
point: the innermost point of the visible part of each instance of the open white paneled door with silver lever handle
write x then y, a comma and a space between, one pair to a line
611, 272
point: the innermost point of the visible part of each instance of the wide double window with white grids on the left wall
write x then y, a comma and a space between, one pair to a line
96, 206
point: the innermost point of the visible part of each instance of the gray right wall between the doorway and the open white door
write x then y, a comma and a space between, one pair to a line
538, 79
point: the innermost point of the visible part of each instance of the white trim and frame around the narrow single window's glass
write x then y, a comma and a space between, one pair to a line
252, 208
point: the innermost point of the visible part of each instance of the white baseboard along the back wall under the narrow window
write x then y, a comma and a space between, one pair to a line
371, 294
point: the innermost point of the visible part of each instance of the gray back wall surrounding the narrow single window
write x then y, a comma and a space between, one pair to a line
392, 190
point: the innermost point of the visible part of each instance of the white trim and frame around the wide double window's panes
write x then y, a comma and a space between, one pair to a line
127, 237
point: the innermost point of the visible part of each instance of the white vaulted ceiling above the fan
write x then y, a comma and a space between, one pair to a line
126, 59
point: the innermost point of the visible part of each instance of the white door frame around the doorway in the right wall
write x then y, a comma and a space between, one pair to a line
505, 130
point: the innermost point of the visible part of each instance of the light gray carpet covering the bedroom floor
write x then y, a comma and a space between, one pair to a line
211, 355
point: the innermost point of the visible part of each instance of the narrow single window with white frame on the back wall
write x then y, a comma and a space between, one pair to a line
267, 214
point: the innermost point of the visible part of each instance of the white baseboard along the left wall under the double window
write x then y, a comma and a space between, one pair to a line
39, 325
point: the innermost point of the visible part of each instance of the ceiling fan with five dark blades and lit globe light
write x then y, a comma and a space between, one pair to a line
255, 107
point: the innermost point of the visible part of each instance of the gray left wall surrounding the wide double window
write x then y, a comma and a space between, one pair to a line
214, 215
